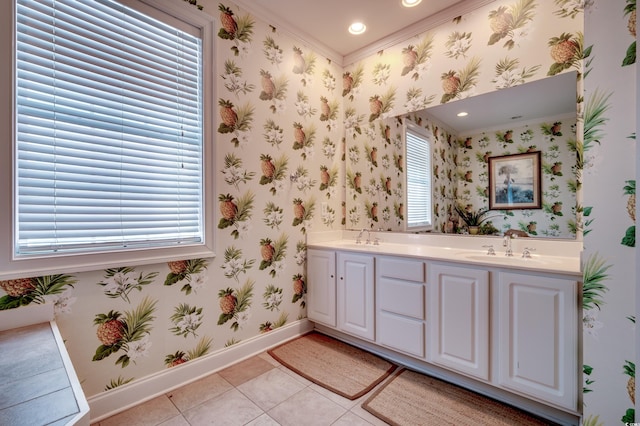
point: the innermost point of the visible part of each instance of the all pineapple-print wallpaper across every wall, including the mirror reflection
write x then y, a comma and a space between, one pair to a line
305, 144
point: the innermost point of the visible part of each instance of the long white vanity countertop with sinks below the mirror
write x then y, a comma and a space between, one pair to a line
553, 256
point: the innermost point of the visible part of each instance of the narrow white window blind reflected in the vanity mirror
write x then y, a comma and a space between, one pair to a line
418, 158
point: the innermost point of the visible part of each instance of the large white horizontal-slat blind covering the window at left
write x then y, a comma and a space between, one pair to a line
109, 129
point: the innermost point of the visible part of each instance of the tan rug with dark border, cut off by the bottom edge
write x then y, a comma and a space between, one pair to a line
415, 399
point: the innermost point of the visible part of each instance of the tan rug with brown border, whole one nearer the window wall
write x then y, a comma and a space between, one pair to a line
337, 366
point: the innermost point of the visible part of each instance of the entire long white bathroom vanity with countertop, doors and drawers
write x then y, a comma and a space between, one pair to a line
505, 326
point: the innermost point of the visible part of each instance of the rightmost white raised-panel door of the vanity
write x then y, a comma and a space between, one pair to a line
538, 337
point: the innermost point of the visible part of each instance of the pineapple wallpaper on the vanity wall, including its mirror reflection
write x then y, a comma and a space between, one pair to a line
474, 54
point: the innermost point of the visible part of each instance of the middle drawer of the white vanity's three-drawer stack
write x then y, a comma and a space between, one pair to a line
401, 297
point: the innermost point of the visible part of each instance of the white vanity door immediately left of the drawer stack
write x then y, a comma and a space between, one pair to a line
355, 299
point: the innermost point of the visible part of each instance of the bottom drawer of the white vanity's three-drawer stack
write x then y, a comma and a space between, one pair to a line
401, 333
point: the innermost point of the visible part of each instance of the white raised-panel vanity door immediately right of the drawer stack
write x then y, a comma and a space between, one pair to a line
458, 312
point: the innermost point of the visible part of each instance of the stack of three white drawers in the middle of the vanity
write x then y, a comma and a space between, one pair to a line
400, 307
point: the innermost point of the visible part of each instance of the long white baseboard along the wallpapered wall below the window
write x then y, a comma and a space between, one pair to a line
124, 397
